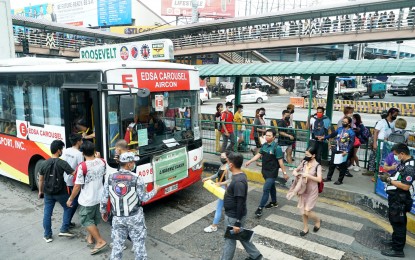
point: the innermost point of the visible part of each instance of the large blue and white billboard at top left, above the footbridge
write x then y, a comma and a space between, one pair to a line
86, 13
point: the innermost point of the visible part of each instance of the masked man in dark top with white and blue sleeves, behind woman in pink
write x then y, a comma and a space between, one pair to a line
319, 124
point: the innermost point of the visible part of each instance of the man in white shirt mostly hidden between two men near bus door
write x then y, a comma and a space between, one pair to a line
73, 156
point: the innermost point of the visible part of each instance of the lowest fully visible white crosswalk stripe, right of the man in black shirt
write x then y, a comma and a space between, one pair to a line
299, 242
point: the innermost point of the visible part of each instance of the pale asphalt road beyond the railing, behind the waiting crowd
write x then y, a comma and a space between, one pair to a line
276, 104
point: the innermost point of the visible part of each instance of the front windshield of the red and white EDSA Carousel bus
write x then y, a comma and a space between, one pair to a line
153, 123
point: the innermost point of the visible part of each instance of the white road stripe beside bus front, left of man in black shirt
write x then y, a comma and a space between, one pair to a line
191, 218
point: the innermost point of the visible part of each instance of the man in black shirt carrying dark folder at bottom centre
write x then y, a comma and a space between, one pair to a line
235, 208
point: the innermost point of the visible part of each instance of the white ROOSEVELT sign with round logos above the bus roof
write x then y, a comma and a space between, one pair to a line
144, 50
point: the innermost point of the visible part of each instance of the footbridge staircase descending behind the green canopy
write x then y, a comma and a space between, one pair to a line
233, 57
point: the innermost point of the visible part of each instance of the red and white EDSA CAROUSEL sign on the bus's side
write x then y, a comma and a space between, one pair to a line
45, 134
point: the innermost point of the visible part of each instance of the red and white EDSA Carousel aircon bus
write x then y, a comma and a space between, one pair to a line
140, 101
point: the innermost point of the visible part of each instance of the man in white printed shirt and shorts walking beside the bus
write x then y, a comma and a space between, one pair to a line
89, 181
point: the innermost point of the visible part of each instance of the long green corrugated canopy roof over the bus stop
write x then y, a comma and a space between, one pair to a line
310, 68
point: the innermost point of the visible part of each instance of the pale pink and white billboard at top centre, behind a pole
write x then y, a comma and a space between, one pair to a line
207, 8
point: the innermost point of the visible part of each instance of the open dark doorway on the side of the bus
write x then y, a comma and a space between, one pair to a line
82, 114
